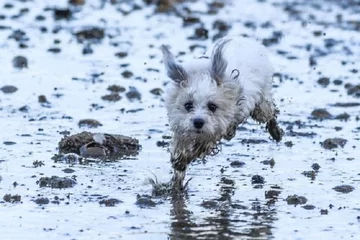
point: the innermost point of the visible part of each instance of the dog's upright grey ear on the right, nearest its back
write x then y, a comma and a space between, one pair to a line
218, 62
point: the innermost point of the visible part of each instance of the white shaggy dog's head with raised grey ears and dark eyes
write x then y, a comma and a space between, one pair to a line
200, 105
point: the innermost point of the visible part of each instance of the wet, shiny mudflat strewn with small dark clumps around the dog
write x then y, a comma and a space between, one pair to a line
65, 63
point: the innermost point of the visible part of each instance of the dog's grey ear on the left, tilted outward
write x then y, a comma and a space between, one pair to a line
174, 71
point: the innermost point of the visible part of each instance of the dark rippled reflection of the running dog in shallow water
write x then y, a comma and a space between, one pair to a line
229, 220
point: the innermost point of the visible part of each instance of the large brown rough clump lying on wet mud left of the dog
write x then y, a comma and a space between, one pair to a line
99, 145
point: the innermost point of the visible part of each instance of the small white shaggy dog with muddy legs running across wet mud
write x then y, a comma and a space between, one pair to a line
209, 97
